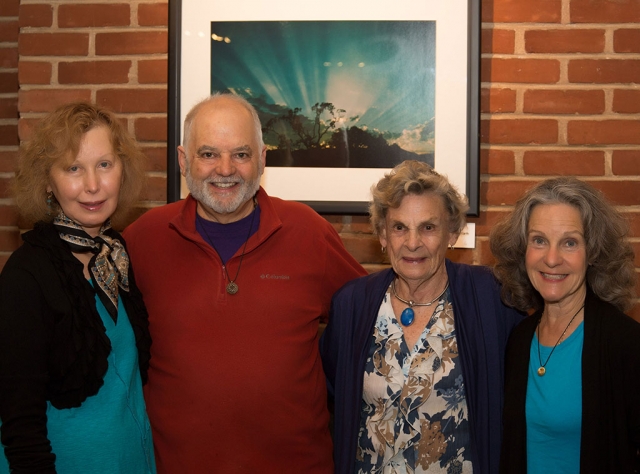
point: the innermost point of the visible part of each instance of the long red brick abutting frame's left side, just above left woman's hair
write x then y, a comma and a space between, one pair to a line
133, 100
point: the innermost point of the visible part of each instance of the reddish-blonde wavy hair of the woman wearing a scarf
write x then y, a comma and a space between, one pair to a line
57, 139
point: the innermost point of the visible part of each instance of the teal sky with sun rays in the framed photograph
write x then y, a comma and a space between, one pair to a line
382, 73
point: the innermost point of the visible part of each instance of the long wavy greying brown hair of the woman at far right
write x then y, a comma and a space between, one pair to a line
610, 274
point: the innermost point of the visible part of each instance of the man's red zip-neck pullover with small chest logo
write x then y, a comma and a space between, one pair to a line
236, 382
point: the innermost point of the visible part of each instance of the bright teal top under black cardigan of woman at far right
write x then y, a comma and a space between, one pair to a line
554, 407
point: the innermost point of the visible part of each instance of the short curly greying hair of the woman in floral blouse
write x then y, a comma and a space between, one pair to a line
415, 177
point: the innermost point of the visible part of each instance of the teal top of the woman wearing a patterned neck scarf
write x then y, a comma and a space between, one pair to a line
110, 432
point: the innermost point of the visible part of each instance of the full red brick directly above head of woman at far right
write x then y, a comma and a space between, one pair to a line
564, 163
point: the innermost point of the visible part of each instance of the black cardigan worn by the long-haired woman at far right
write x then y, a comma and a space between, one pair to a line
610, 436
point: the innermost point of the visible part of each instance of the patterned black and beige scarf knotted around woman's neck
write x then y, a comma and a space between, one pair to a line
109, 265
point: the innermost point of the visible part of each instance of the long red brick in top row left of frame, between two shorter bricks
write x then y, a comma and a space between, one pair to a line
93, 15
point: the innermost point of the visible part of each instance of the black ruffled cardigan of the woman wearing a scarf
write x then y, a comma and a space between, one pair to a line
53, 345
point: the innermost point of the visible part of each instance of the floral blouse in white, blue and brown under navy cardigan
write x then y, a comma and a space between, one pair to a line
414, 417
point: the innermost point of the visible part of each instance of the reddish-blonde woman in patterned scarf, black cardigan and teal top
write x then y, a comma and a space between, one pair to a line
74, 339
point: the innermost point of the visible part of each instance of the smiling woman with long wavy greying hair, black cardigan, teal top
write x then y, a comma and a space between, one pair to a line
573, 367
